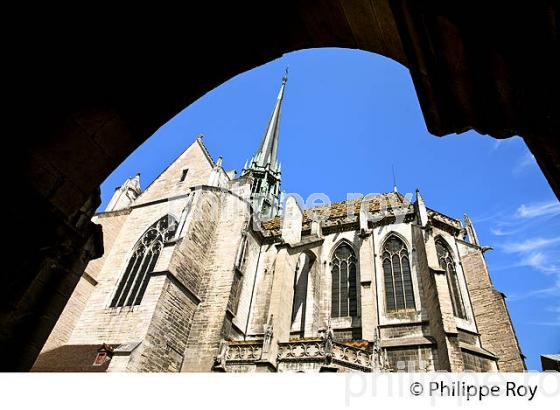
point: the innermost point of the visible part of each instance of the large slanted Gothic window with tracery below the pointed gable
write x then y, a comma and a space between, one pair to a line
134, 281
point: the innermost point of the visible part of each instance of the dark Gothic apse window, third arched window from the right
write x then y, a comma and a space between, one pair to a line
343, 289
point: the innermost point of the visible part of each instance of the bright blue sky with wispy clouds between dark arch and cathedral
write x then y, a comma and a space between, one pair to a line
348, 117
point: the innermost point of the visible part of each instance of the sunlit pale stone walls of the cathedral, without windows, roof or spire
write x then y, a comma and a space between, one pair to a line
201, 292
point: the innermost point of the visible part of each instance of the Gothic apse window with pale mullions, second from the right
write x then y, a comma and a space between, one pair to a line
399, 294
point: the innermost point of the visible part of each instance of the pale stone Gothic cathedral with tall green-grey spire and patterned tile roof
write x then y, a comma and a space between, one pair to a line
207, 270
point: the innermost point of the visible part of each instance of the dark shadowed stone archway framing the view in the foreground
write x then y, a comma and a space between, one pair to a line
88, 89
